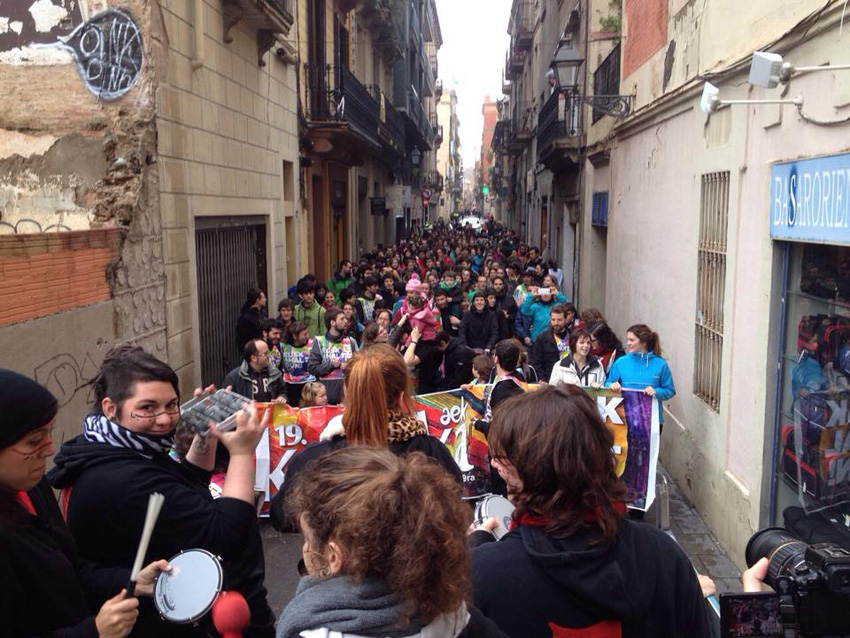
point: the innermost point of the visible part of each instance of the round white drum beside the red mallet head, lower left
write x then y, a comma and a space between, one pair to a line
186, 594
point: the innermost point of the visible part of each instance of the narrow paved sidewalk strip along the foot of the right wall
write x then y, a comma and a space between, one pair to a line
695, 538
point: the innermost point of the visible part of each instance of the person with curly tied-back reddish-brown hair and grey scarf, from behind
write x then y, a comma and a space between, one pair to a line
384, 549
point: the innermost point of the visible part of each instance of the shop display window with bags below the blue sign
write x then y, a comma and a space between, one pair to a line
813, 464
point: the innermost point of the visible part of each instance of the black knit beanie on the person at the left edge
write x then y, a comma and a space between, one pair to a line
24, 406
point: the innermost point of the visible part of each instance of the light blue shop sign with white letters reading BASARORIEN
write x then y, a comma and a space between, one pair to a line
810, 200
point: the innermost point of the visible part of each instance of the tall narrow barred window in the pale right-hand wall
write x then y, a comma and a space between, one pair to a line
711, 287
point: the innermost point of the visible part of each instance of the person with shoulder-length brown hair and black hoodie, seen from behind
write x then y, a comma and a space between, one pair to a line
572, 560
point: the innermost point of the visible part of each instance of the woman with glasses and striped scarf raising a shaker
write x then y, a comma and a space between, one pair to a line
108, 472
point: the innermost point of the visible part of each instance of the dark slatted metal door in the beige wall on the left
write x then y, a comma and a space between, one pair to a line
231, 260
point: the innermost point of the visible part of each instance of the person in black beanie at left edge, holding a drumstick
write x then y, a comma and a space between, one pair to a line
47, 589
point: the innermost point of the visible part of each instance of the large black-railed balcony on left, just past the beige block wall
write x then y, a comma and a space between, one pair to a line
343, 118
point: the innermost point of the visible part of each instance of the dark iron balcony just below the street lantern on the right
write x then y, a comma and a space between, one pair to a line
559, 131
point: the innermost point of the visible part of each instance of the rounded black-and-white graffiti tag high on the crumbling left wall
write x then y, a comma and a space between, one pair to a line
108, 52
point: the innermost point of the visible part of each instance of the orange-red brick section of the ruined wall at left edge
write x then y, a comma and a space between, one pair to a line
47, 273
